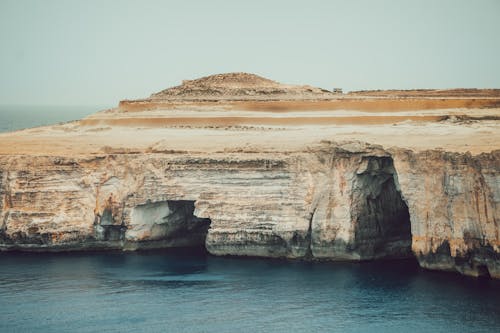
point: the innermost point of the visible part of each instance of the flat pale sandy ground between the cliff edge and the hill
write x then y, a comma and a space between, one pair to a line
216, 128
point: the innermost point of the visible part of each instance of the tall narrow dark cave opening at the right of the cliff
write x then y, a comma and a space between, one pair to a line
382, 221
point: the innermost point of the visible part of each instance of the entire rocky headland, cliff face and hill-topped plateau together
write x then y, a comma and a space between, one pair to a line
321, 177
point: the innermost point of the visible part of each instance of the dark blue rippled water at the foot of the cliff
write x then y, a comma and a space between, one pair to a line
176, 292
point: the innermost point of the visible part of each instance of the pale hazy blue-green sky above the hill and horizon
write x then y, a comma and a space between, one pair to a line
97, 52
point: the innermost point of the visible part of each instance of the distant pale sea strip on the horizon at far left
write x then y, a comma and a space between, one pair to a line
15, 117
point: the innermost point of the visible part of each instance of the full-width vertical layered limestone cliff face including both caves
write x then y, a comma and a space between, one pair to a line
348, 202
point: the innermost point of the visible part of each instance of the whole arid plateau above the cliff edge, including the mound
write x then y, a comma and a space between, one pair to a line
242, 111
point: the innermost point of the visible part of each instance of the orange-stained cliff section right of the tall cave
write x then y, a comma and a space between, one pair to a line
453, 200
